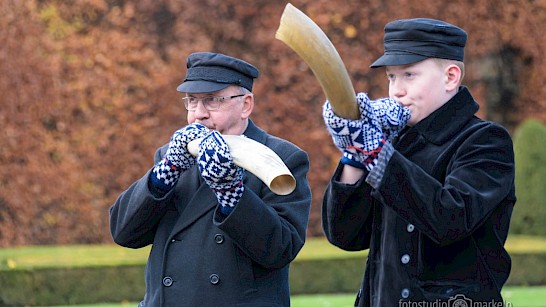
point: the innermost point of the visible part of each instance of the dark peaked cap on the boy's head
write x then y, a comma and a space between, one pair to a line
409, 41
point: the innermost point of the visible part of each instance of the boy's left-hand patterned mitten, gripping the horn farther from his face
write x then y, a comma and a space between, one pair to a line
359, 140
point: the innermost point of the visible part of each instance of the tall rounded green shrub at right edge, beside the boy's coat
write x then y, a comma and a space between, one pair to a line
530, 157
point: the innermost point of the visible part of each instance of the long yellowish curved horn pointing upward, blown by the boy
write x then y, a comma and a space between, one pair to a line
301, 34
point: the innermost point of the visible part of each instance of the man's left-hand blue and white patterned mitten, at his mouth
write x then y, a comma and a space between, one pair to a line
166, 172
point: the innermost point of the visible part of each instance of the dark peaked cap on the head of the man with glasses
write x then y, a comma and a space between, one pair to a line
210, 72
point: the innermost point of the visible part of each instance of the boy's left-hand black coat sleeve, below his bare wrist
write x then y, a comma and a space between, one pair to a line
347, 213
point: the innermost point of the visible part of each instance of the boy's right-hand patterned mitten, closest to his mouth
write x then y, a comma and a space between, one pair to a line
391, 115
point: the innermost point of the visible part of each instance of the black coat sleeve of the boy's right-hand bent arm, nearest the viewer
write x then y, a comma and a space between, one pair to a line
479, 175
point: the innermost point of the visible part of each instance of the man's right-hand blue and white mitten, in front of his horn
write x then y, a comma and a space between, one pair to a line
219, 172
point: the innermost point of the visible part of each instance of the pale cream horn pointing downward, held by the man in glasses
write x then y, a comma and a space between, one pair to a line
257, 159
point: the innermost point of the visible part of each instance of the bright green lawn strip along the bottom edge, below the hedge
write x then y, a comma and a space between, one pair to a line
513, 296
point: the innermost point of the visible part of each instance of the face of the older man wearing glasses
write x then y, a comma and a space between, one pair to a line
230, 117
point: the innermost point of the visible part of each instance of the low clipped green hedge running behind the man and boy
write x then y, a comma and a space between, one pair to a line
67, 275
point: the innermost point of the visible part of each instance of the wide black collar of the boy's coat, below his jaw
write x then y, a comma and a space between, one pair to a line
457, 112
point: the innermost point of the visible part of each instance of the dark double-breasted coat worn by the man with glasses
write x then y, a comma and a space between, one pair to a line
199, 258
